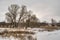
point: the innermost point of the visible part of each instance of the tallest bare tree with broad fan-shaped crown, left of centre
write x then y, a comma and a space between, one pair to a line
13, 11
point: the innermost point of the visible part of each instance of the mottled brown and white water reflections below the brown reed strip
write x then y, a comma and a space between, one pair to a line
19, 37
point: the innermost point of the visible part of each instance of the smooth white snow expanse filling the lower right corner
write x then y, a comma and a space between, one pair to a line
54, 35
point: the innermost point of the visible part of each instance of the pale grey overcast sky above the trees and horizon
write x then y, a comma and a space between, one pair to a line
45, 10
